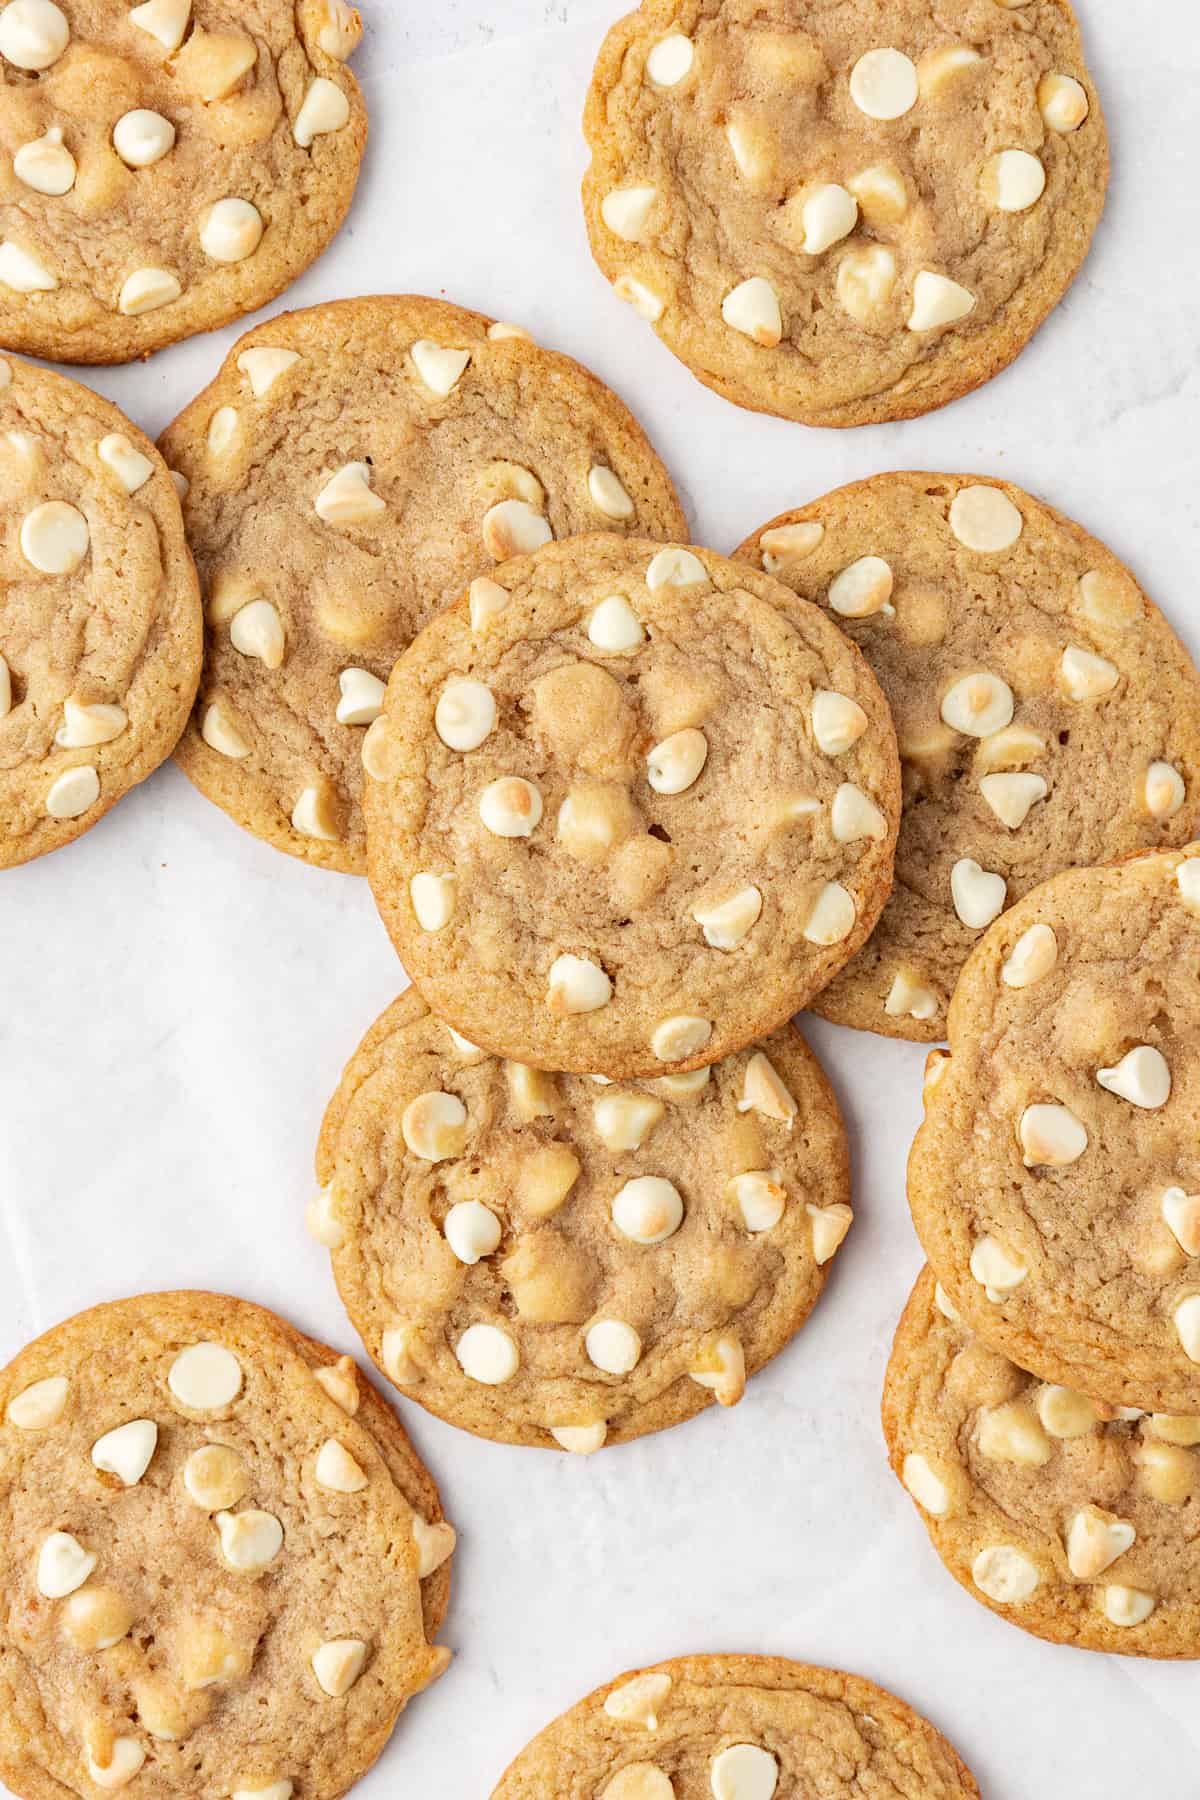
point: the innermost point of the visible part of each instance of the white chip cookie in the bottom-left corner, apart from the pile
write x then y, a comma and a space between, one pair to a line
213, 1554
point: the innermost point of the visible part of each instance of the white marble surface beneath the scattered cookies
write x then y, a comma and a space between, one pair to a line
179, 1000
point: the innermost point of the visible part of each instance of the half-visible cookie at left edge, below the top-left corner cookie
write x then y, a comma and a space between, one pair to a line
100, 611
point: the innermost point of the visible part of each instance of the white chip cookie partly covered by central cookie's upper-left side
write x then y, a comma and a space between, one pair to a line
350, 471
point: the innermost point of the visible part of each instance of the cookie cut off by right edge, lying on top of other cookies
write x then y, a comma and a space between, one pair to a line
1055, 1183
